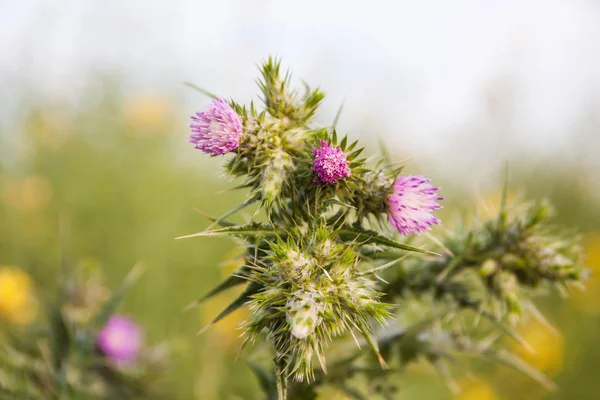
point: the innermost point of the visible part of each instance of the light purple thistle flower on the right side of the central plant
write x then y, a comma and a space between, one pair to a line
411, 204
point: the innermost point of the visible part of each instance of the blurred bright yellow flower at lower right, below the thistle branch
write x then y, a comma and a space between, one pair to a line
548, 348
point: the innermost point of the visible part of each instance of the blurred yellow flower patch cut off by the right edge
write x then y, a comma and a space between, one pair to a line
589, 300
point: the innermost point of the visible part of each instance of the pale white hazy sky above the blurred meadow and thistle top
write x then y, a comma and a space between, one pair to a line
426, 75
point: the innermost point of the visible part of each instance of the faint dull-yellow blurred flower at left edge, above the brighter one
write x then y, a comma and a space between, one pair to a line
31, 193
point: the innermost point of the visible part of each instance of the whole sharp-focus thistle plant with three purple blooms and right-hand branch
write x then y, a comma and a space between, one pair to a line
340, 256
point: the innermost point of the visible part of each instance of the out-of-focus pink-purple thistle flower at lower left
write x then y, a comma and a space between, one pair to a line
120, 340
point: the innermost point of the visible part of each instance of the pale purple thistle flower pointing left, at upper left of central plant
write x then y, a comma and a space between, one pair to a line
216, 130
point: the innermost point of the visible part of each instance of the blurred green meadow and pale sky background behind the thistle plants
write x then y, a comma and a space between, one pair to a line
94, 120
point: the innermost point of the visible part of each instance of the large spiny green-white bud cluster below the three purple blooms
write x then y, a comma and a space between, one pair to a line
312, 292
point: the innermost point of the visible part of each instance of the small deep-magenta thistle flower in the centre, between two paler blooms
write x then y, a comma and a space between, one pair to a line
330, 164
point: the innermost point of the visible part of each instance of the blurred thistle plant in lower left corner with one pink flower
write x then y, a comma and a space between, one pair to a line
83, 350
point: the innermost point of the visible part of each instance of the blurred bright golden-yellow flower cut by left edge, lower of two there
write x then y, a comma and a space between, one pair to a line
17, 304
